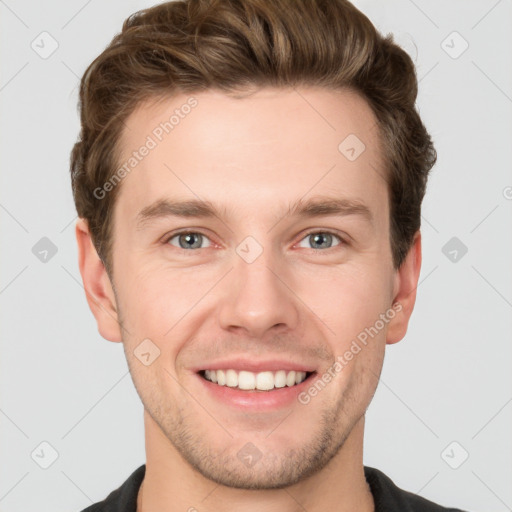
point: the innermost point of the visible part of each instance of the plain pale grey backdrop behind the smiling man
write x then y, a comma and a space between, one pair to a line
448, 381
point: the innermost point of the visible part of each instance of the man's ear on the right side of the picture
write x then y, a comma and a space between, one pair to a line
406, 283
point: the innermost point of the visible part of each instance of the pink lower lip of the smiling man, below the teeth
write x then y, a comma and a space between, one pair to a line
256, 400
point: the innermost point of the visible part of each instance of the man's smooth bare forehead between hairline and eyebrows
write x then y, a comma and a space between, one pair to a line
270, 148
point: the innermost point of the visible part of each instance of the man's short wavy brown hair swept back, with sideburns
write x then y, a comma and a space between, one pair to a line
187, 46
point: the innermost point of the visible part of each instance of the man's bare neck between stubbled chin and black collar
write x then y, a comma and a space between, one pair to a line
171, 484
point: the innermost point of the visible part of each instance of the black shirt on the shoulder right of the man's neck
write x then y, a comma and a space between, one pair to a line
389, 498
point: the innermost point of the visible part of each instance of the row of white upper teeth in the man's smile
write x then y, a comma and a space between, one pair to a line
263, 381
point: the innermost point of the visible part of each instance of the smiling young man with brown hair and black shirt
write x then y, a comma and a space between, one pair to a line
249, 179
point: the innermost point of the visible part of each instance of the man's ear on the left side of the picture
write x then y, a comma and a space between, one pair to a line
98, 288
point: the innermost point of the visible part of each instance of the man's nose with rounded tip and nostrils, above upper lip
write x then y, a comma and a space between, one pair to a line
257, 299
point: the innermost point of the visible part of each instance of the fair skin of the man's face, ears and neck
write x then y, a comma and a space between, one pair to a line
300, 303
